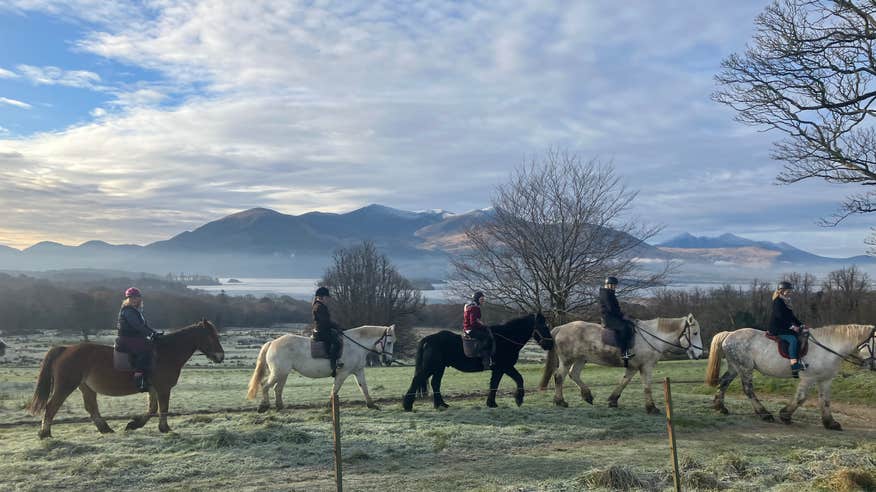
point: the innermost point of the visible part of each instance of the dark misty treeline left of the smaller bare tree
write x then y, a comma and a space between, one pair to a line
29, 304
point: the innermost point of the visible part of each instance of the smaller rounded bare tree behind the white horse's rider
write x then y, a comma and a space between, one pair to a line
367, 289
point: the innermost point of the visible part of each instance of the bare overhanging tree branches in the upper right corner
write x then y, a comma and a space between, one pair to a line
809, 73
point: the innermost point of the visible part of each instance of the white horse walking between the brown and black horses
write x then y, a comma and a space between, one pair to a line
280, 356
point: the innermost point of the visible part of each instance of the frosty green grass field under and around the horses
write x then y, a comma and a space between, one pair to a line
220, 442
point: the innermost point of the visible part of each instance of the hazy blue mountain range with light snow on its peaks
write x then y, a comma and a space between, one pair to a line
264, 242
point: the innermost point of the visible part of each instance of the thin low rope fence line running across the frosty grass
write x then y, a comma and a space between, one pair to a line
301, 404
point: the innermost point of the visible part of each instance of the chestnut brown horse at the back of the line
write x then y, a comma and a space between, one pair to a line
89, 367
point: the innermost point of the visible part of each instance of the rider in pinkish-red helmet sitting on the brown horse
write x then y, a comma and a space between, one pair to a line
138, 336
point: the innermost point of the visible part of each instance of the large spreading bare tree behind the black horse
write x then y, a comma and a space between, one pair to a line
558, 227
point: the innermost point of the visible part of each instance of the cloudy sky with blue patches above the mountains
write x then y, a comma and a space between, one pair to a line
133, 121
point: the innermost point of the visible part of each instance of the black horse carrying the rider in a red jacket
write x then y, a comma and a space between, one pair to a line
436, 352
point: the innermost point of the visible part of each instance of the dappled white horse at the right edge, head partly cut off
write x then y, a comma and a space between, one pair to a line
748, 349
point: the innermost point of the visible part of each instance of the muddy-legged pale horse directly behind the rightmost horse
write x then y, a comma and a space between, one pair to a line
579, 342
